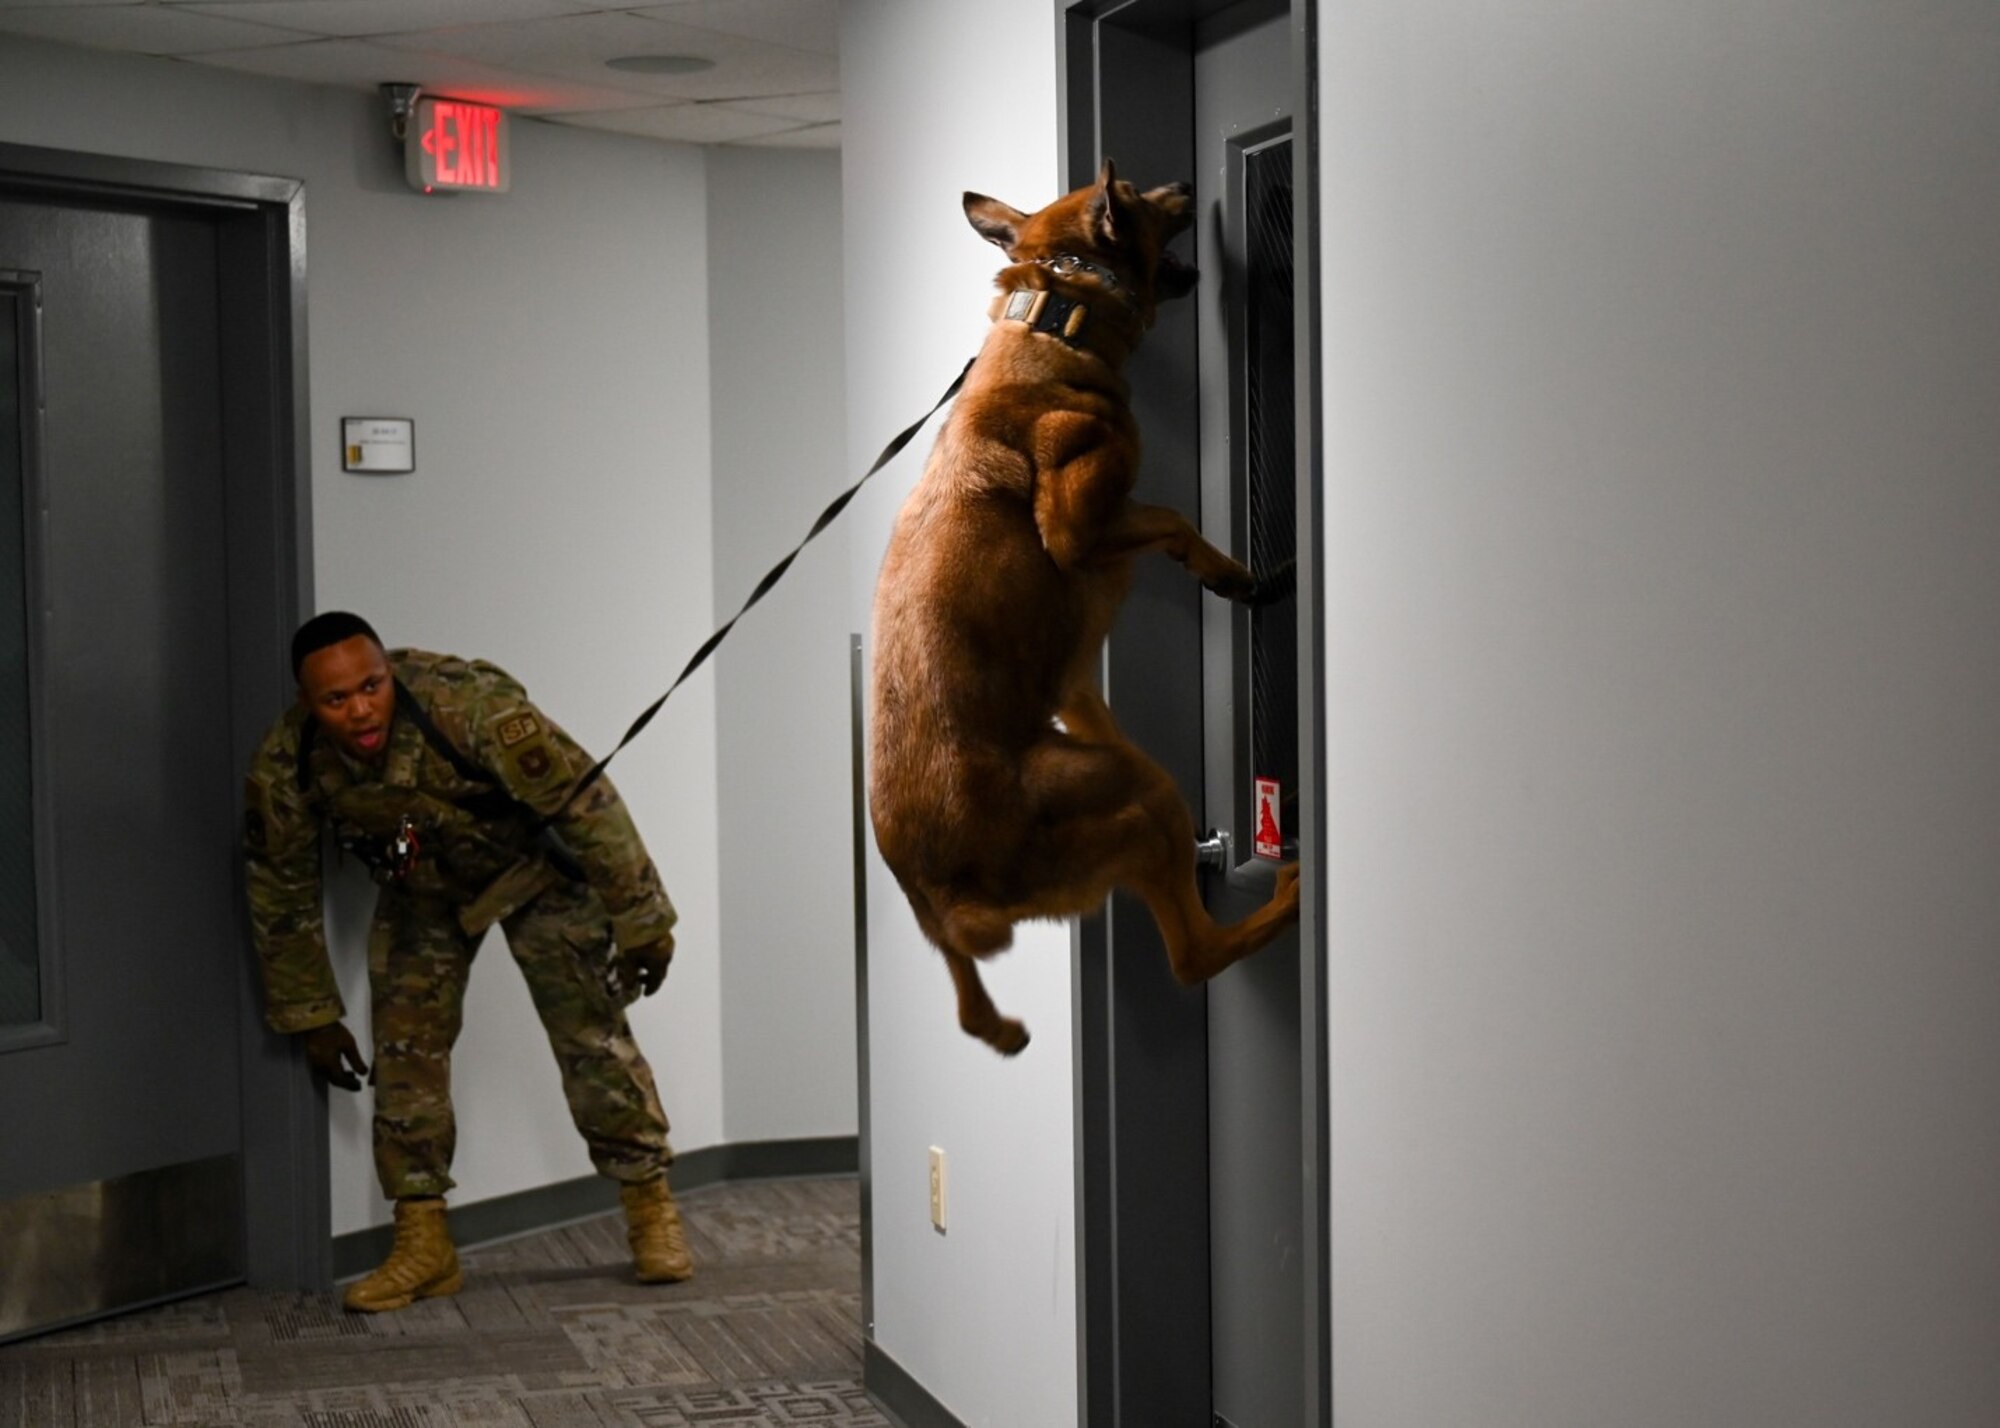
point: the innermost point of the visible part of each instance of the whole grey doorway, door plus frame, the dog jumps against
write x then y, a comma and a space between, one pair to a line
1201, 1111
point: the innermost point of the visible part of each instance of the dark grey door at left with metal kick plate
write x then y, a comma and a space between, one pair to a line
121, 987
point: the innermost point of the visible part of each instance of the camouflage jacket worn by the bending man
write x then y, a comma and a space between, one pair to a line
471, 805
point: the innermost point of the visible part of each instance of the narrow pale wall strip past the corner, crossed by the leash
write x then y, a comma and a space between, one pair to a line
785, 793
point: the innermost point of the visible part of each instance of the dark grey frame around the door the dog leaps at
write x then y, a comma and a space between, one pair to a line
1143, 1317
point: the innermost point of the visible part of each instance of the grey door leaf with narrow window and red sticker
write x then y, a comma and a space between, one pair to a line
1243, 137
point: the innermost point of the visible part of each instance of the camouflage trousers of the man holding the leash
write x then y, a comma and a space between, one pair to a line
419, 961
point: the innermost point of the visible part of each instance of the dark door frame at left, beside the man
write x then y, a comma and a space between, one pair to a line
261, 225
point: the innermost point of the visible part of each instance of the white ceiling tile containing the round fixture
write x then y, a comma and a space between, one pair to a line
577, 49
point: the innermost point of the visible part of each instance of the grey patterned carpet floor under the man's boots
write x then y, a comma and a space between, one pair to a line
549, 1333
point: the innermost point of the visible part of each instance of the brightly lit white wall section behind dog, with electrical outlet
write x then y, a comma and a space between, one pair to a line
983, 1317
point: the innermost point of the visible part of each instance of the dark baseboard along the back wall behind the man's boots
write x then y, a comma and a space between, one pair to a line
545, 1207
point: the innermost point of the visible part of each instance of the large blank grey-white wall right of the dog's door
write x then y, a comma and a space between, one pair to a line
1663, 349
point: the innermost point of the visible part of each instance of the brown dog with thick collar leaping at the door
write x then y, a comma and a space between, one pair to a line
1005, 573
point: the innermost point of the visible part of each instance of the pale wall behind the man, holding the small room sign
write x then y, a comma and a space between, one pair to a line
553, 349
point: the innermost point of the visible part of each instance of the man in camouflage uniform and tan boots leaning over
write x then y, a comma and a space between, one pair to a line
457, 791
